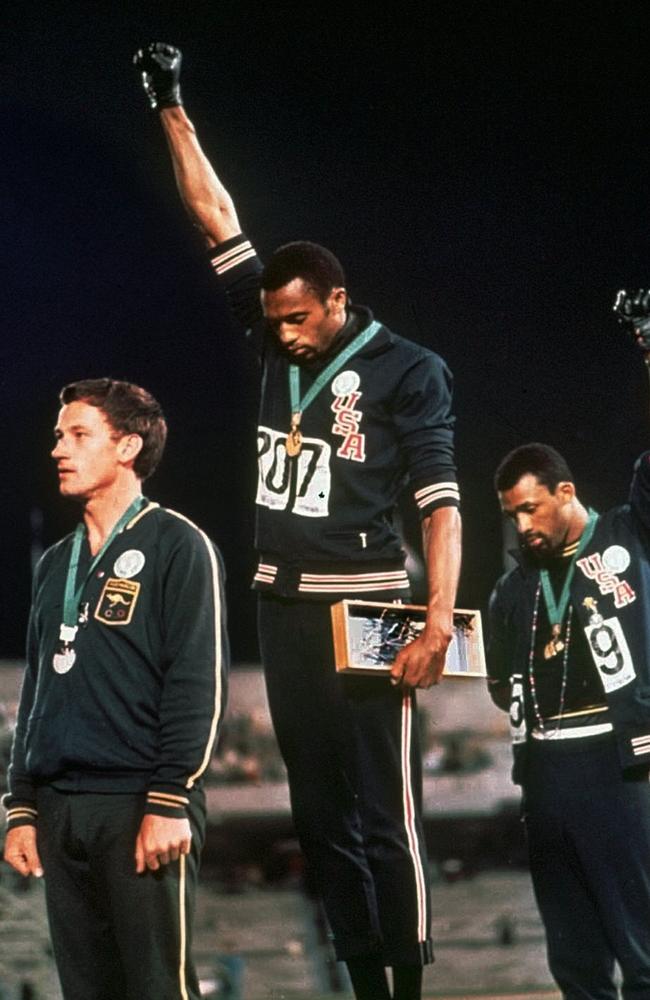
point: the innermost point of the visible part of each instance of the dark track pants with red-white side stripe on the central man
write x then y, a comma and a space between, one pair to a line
352, 753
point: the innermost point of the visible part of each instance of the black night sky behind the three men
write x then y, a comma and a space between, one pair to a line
482, 170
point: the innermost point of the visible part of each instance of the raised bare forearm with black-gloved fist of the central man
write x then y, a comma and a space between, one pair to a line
206, 200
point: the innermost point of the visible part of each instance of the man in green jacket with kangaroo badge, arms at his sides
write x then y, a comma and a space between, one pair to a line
122, 696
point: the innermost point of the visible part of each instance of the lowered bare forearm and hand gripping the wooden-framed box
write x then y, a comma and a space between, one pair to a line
420, 664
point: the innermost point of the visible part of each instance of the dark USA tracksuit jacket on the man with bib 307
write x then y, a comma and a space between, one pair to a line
324, 522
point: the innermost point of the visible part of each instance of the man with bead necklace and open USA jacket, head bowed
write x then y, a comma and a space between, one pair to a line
569, 657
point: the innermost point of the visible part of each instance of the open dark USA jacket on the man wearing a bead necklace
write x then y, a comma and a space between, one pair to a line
610, 595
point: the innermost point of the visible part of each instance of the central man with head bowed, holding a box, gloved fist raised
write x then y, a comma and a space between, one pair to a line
349, 411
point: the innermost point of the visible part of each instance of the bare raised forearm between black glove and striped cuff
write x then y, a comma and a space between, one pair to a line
205, 198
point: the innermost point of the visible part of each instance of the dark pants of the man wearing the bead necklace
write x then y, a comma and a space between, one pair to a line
588, 828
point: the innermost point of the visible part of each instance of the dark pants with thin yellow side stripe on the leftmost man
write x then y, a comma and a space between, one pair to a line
116, 935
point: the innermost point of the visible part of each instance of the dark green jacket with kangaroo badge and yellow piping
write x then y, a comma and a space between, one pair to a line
140, 708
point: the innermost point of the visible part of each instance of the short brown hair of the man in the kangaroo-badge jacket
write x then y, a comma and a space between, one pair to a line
130, 410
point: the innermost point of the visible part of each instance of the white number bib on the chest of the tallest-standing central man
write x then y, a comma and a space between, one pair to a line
301, 485
